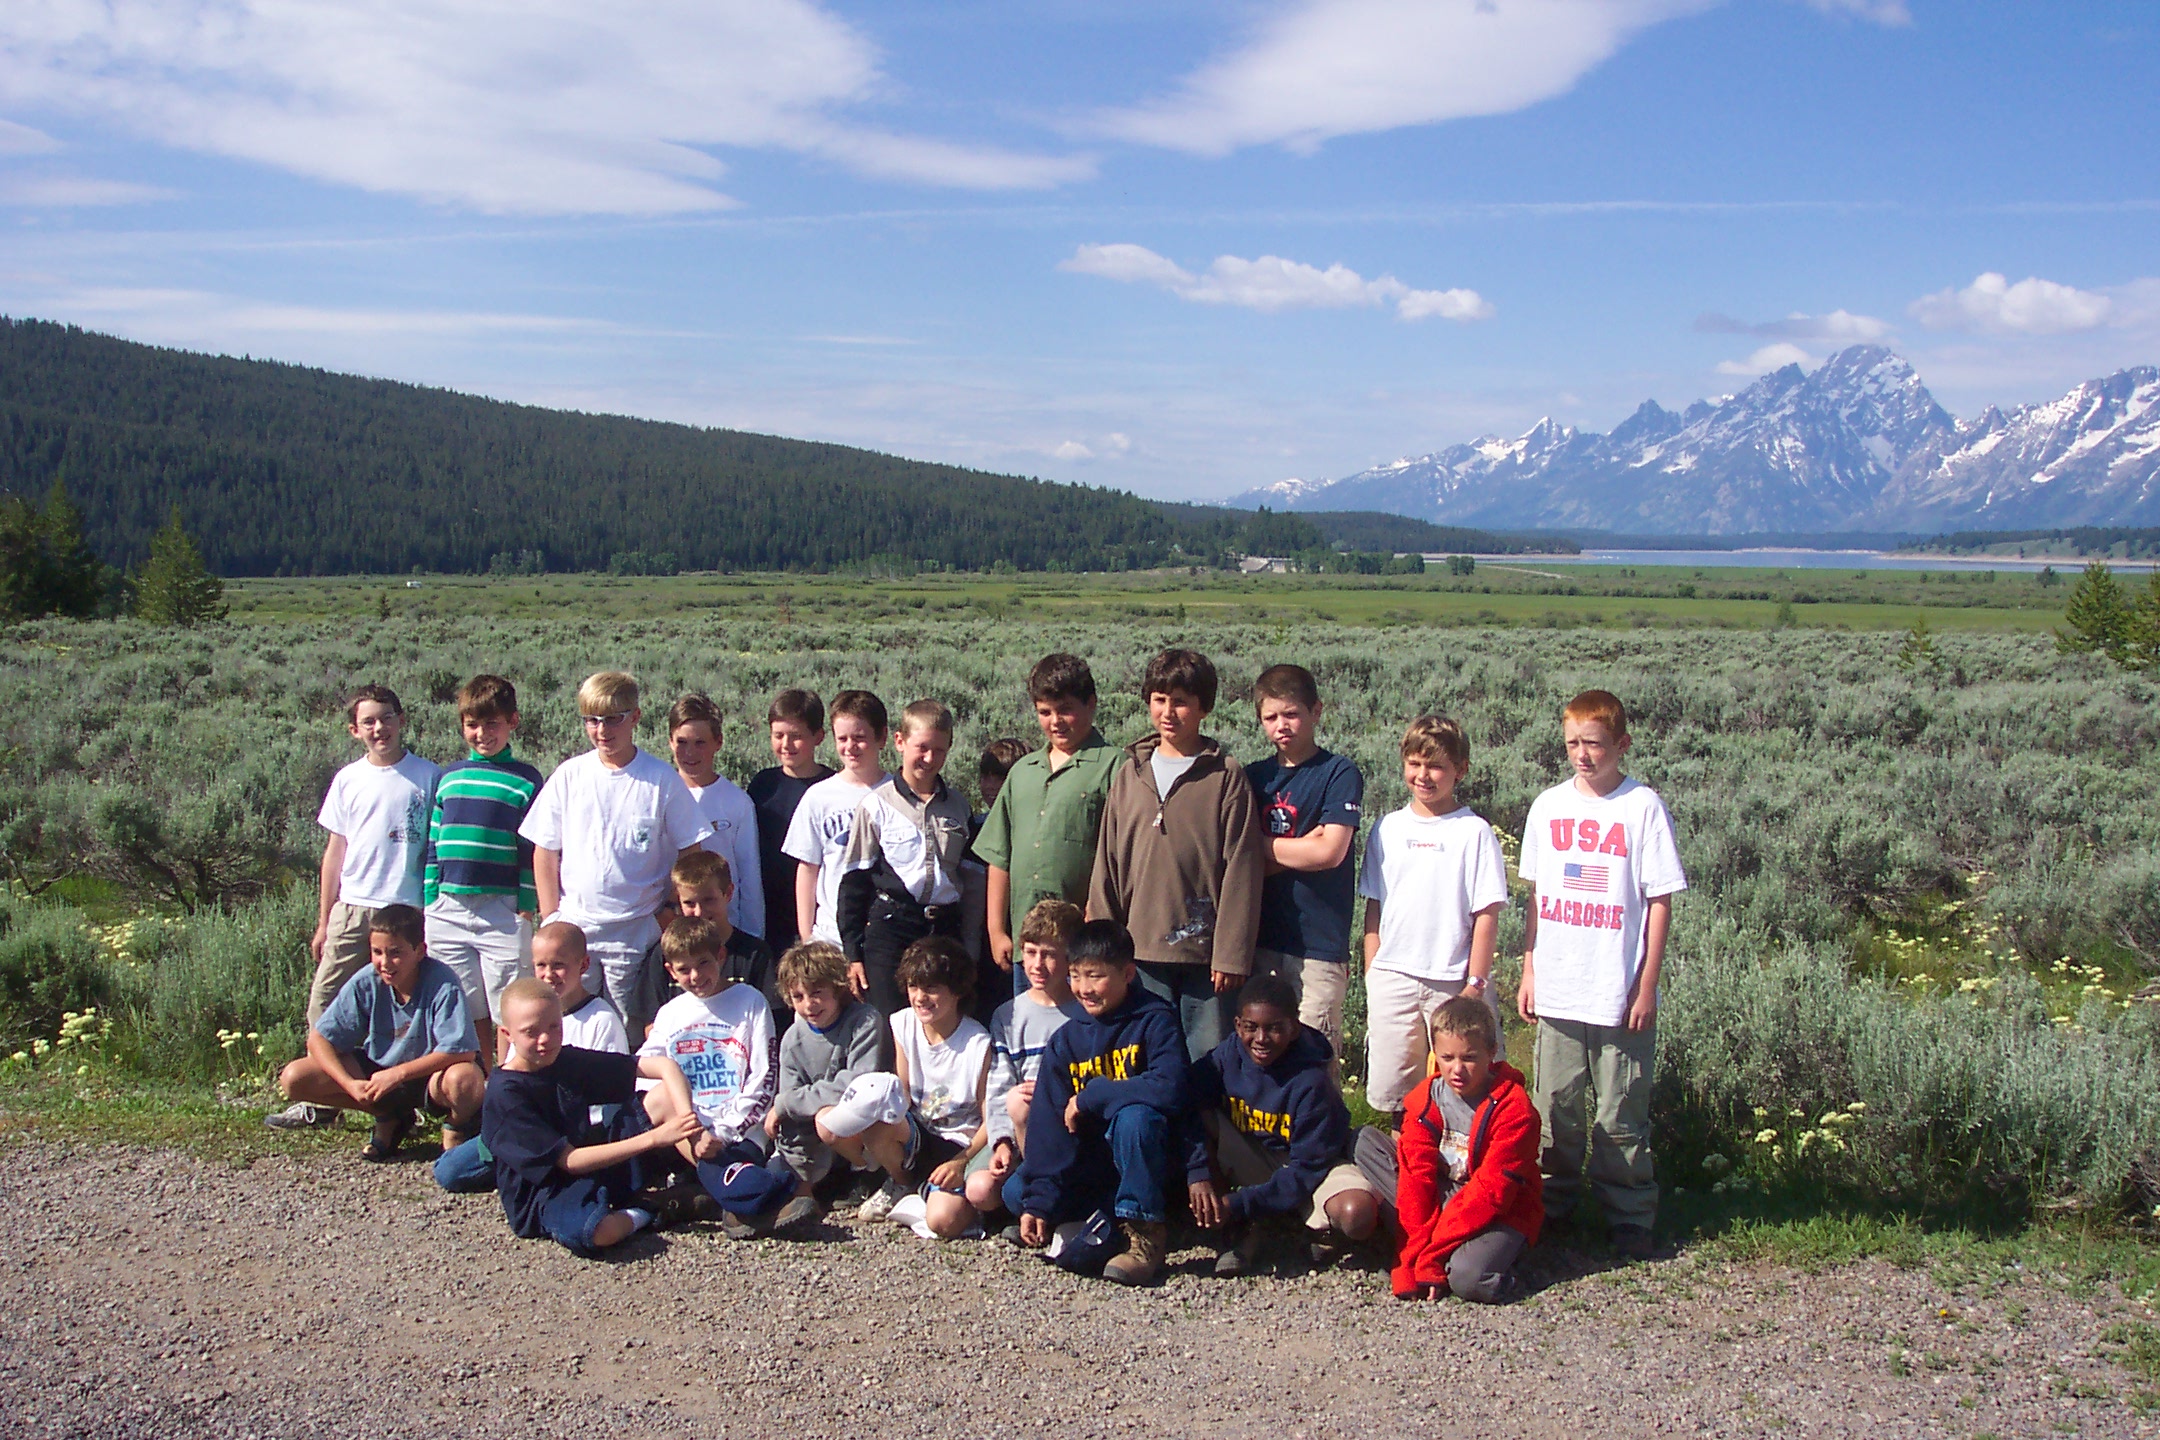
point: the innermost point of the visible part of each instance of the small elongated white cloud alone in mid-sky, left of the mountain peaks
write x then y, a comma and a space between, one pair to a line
1273, 284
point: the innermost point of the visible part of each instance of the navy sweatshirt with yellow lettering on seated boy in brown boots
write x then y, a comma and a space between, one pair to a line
1129, 1057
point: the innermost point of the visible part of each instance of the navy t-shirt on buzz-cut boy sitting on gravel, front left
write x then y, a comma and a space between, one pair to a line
532, 1115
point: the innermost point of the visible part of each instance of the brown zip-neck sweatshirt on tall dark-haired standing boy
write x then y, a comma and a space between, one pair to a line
1183, 873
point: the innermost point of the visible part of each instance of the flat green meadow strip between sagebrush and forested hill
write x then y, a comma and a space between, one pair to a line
1511, 593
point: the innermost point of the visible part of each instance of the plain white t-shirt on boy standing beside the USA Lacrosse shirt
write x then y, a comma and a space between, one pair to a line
1431, 878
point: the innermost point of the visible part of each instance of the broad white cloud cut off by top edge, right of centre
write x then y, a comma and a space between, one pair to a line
1317, 70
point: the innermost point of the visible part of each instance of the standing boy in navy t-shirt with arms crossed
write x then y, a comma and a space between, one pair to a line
1310, 809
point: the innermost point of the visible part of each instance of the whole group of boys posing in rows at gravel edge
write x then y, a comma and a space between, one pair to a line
1126, 970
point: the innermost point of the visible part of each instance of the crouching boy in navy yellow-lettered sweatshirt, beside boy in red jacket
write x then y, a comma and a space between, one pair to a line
1273, 1135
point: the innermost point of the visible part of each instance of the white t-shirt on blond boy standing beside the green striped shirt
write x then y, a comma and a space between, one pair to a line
619, 834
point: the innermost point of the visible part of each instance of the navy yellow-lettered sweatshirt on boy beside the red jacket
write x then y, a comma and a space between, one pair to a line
1293, 1111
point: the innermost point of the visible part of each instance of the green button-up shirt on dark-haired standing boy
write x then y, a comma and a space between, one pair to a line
1042, 830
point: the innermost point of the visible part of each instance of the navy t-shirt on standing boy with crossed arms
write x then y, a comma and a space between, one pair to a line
1308, 912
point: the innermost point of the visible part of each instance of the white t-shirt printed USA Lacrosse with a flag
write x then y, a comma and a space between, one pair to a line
1597, 865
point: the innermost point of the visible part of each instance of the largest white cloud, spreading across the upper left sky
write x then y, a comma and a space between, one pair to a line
550, 107
